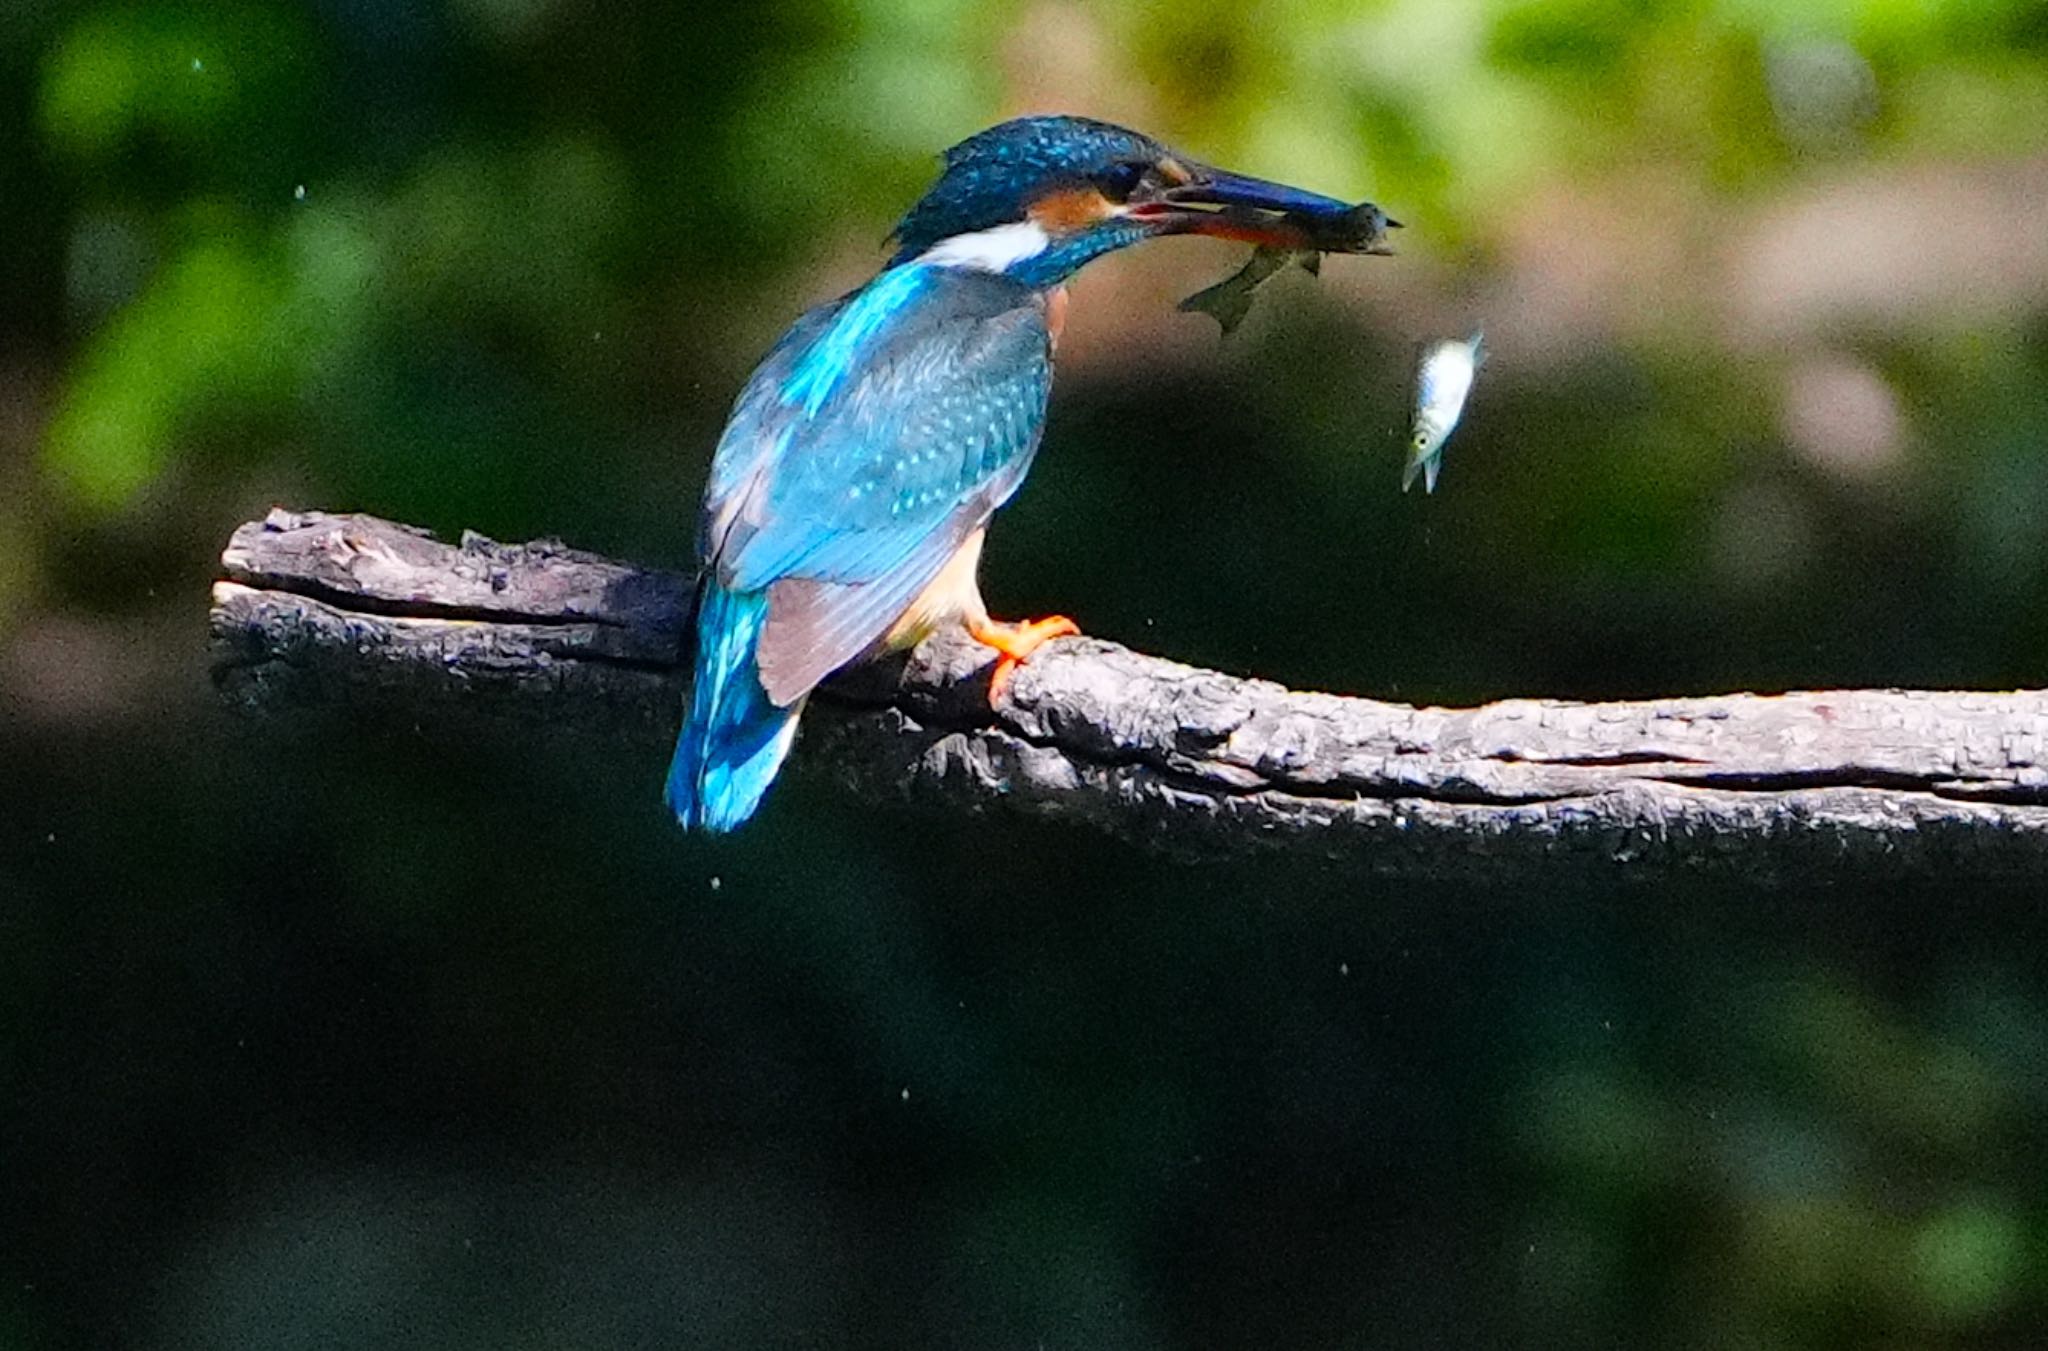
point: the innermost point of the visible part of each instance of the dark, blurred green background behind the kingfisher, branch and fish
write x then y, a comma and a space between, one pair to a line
327, 1035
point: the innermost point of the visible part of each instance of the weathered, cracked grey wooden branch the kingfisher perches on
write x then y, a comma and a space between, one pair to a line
1854, 783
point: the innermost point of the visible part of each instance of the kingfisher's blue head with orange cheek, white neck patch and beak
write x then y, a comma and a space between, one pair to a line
1039, 198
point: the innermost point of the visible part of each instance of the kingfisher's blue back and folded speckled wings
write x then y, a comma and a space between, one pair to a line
867, 451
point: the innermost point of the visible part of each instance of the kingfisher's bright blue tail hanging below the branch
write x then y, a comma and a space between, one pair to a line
736, 736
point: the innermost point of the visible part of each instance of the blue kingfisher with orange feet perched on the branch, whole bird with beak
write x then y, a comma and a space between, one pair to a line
863, 460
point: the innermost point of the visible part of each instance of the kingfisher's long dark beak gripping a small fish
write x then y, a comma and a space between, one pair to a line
1271, 214
